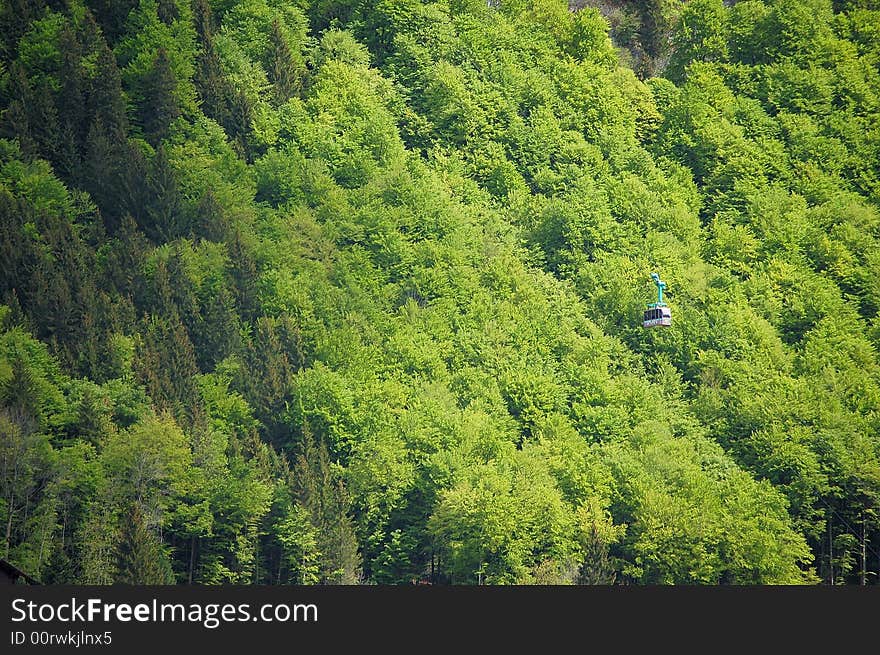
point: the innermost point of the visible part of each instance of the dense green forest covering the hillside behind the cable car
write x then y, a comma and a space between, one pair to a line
351, 292
